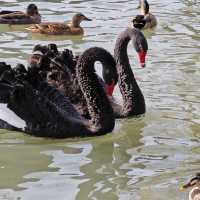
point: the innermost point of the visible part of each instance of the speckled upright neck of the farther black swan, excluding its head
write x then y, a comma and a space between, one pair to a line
133, 100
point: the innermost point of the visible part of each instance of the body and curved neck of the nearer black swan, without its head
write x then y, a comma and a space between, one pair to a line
47, 112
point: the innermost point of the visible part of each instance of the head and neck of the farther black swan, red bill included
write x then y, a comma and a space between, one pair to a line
133, 99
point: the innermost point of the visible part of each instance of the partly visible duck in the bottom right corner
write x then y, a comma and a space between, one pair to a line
195, 184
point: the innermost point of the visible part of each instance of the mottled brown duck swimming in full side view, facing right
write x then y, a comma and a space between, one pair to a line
56, 28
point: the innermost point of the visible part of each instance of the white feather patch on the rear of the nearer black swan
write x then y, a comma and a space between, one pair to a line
10, 117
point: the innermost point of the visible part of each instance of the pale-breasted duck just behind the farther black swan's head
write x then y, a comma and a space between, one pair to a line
149, 18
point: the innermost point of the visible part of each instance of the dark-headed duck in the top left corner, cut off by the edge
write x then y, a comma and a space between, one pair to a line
31, 16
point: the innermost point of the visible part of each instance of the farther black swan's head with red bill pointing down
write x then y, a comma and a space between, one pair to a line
141, 46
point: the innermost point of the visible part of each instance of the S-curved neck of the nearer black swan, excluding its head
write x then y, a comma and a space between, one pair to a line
99, 107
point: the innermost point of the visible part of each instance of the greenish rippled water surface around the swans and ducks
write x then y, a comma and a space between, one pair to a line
144, 158
